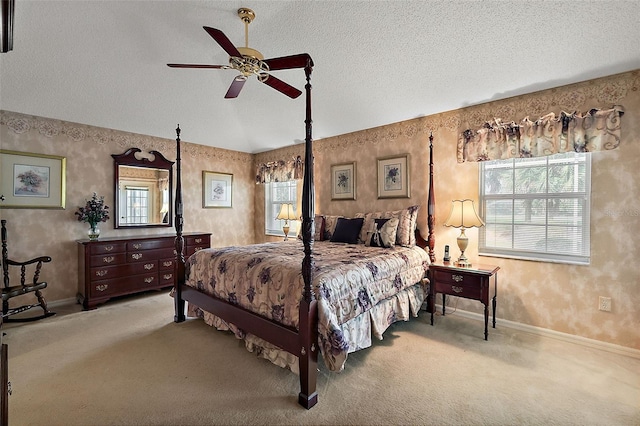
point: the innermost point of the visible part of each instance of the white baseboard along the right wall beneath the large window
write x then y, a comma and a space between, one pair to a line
592, 343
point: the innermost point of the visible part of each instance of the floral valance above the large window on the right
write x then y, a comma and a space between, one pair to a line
597, 130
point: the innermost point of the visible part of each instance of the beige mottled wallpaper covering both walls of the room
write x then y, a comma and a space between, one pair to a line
559, 297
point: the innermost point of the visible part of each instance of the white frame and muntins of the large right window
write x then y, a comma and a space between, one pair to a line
583, 197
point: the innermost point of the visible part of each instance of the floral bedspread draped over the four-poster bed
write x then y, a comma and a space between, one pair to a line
348, 280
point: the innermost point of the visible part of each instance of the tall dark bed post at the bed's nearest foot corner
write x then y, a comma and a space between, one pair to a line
308, 323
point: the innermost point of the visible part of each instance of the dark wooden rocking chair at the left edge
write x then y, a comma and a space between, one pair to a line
9, 291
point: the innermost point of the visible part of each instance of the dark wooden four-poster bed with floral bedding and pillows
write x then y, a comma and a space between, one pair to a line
289, 300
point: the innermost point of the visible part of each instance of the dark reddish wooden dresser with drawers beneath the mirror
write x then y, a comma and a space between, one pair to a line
113, 267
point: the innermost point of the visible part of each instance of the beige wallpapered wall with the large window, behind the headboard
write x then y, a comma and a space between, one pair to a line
559, 297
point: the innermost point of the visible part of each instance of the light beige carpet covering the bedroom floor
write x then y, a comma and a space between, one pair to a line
128, 363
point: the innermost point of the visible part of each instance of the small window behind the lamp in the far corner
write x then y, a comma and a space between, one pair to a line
275, 194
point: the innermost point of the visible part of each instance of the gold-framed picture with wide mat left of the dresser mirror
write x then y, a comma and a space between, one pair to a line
32, 181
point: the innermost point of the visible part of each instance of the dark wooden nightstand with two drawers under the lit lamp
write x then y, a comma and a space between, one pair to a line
470, 283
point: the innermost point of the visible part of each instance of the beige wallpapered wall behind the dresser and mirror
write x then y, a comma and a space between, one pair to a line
35, 232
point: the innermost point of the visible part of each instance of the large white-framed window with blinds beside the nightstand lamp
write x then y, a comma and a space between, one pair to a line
537, 208
